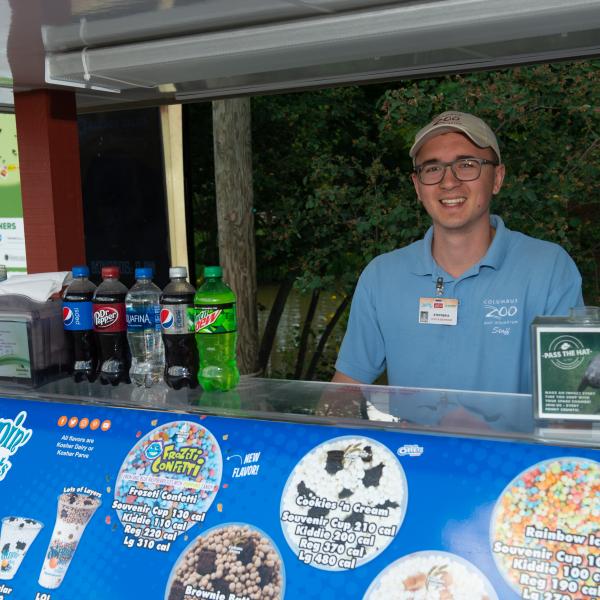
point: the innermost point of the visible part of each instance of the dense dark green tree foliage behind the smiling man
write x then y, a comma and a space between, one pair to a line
332, 173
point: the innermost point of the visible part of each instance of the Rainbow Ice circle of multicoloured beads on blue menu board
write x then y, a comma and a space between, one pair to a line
545, 531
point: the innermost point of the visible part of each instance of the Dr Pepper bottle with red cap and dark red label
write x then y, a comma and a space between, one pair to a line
110, 328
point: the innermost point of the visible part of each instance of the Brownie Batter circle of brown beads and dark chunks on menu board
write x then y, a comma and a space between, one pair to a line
234, 561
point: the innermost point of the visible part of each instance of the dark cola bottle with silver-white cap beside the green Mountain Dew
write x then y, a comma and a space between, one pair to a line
177, 321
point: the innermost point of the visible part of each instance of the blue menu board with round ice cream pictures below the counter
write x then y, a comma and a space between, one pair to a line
99, 502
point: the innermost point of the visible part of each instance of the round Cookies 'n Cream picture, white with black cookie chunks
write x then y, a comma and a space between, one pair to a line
343, 503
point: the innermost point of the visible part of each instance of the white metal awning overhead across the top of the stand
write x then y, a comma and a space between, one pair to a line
117, 52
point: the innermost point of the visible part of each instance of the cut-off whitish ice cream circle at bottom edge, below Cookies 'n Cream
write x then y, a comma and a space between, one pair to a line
431, 575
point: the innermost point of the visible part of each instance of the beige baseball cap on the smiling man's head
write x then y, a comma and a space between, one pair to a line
473, 127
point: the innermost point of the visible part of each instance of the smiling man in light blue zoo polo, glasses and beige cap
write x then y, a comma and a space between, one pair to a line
454, 309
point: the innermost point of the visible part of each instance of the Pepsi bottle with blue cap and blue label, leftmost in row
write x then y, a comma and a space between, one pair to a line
79, 325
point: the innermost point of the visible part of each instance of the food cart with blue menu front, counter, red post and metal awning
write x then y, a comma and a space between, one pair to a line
277, 489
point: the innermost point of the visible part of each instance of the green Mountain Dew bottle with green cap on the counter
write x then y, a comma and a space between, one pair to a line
215, 326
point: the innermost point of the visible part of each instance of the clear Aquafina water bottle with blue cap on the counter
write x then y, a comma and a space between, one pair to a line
142, 306
